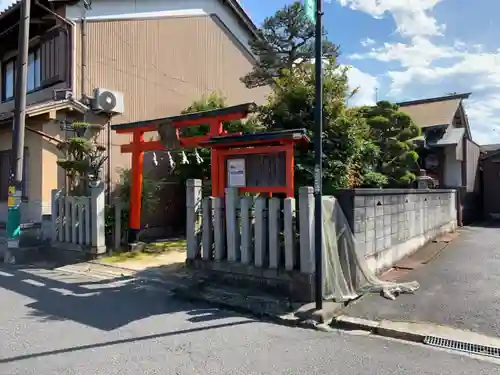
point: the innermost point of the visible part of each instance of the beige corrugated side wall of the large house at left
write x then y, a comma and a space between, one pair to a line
162, 65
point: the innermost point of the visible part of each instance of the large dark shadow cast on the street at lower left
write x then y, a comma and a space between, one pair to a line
105, 305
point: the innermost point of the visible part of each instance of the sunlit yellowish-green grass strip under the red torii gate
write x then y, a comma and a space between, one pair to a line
150, 251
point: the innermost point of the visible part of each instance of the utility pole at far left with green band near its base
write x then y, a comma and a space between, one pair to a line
18, 128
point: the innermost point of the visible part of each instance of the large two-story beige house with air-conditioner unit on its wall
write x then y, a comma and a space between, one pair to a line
152, 58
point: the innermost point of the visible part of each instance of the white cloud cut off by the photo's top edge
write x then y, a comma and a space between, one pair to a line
412, 17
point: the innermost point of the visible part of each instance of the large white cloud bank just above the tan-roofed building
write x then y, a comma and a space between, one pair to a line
439, 69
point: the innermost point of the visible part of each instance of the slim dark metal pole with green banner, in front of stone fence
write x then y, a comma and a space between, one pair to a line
314, 11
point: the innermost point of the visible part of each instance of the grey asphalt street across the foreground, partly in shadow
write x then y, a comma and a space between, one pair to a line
57, 323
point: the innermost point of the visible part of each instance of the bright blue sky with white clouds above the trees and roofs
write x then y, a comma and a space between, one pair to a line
410, 49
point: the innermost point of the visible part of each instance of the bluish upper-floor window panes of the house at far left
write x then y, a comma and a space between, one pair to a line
33, 75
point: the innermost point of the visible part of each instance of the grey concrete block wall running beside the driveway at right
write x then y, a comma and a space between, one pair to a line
390, 224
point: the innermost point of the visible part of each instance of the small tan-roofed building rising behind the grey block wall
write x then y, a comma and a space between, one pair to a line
446, 149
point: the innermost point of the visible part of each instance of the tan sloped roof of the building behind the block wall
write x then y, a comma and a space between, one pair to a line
433, 111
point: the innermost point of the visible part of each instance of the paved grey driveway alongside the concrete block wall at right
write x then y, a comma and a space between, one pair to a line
459, 288
